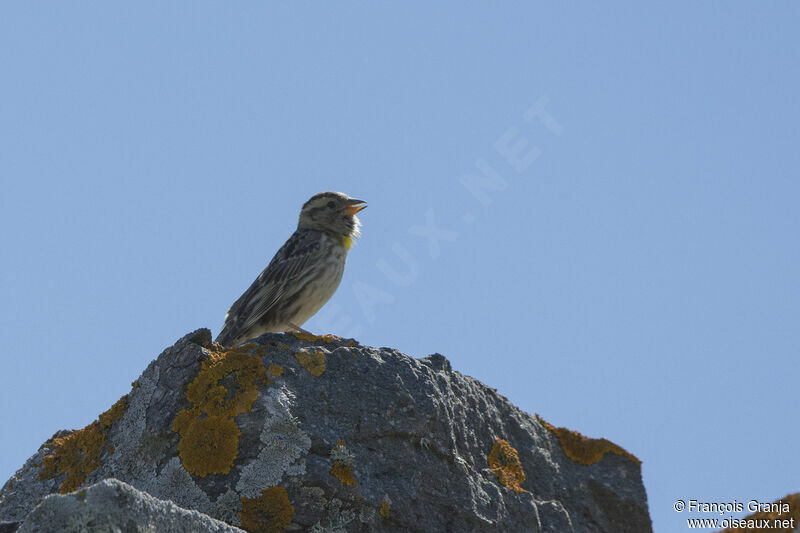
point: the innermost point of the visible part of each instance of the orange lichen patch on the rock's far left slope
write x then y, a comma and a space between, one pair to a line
78, 454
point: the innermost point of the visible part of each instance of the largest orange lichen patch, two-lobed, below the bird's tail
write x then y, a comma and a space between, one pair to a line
227, 385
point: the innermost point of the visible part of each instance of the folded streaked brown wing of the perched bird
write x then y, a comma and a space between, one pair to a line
302, 249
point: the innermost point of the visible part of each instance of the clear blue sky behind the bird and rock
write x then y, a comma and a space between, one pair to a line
632, 271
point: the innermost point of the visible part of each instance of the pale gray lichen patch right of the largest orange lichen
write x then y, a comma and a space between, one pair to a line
283, 443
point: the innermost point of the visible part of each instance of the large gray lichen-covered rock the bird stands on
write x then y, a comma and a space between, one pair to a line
323, 434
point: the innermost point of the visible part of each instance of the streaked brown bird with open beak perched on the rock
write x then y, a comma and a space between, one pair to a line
302, 276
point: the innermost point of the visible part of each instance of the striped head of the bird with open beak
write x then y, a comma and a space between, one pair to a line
332, 212
